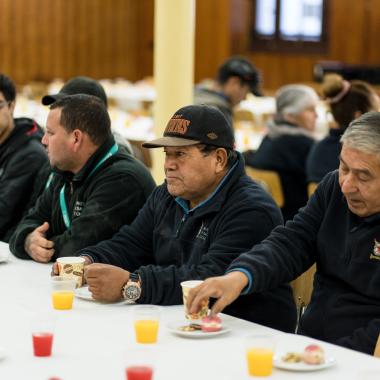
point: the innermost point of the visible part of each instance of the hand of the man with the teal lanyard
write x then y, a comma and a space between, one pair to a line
37, 246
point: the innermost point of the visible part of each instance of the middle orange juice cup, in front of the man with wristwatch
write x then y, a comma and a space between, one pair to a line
146, 322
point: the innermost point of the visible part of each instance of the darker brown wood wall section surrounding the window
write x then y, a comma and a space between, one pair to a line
353, 29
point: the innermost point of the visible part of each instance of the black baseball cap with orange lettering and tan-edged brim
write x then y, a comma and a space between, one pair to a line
196, 124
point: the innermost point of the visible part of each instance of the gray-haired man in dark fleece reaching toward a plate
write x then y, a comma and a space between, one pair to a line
339, 230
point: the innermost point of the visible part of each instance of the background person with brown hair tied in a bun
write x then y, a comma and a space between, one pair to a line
347, 101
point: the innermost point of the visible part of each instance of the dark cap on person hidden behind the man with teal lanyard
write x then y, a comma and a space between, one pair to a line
78, 85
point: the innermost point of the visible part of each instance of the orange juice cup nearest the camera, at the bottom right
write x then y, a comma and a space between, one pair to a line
259, 353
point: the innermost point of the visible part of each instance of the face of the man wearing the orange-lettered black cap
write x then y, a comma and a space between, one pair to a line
190, 174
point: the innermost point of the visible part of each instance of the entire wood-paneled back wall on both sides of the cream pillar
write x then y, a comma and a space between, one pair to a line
44, 39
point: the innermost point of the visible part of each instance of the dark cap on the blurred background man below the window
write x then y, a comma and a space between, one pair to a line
242, 68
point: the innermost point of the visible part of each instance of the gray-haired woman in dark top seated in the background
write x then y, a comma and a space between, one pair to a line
288, 142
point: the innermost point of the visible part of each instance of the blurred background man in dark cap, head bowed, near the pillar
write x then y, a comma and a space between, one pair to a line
235, 79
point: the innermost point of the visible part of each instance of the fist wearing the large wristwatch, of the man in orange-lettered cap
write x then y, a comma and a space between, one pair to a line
105, 281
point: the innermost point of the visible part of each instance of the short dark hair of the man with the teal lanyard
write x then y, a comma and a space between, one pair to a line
86, 113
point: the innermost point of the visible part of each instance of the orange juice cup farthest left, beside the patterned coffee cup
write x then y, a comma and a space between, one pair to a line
62, 292
